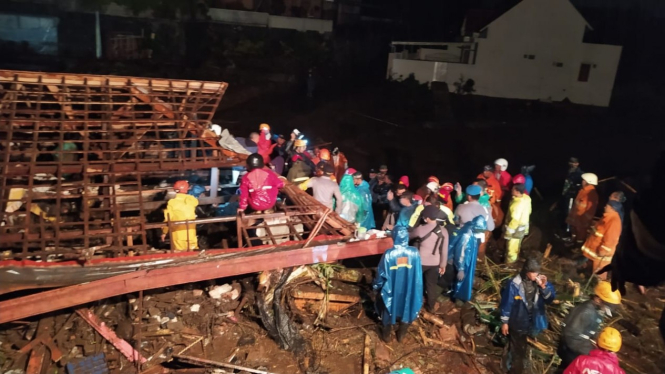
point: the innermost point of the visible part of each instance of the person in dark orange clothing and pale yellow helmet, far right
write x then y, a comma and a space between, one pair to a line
584, 208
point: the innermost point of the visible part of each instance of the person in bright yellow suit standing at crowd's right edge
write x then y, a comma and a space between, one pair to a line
517, 222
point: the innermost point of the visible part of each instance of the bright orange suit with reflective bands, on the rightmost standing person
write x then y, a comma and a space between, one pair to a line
603, 240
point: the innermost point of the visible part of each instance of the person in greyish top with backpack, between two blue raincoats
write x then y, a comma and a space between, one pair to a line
432, 243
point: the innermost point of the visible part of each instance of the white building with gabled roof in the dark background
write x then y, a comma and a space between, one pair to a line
535, 51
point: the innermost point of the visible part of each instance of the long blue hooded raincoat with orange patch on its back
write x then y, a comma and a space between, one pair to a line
399, 281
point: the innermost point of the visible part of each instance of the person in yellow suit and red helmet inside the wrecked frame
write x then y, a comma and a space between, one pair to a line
181, 208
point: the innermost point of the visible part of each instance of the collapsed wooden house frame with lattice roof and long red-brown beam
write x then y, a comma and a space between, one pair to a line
82, 192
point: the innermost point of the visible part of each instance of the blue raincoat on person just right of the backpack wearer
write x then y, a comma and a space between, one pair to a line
464, 249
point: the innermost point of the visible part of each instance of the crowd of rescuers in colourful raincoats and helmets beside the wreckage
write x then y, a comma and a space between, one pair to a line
440, 231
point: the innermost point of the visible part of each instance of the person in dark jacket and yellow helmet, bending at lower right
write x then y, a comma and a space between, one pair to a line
582, 324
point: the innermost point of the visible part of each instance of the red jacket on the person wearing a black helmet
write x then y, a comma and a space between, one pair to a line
259, 189
